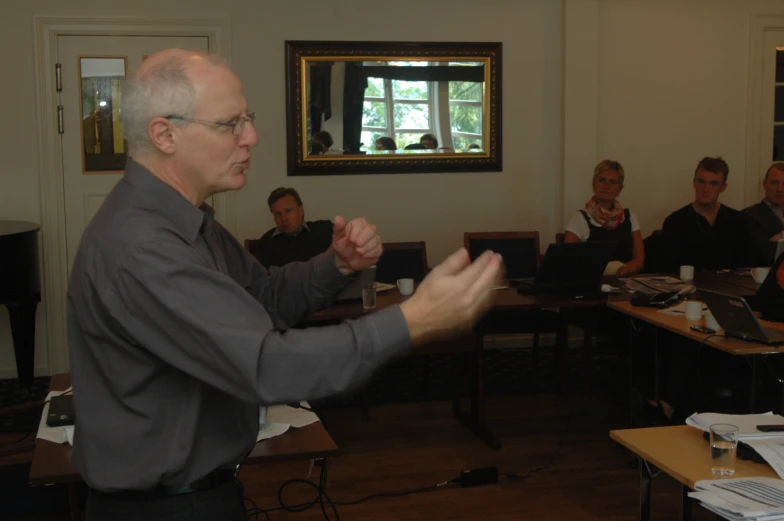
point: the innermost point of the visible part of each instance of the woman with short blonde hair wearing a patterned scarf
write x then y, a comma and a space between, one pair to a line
604, 219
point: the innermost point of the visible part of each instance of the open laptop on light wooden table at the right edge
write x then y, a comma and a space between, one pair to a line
738, 320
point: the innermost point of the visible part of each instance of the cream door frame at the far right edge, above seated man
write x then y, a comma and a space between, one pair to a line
761, 23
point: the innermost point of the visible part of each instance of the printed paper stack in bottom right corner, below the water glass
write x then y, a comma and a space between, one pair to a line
747, 499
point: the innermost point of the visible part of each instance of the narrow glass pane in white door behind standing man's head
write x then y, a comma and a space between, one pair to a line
103, 142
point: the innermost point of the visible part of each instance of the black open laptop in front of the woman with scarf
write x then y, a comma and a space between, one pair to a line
573, 269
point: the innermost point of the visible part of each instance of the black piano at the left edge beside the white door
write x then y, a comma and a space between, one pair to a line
20, 289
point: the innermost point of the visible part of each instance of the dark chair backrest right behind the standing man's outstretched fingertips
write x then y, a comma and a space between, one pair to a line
520, 250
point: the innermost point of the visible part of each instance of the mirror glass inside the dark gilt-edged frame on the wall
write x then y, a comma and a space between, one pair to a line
389, 107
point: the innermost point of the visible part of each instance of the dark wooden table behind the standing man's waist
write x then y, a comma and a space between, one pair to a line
52, 461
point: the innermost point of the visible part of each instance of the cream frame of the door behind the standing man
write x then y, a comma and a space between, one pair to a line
50, 164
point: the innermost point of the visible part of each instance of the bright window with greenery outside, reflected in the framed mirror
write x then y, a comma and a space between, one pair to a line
406, 110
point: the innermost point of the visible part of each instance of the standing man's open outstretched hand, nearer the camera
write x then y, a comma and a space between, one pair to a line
453, 296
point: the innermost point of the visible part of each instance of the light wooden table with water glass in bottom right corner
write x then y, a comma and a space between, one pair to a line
681, 452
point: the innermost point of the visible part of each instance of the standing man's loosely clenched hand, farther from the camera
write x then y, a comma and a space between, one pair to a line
357, 246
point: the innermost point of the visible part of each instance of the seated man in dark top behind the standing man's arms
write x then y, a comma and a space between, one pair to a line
292, 239
